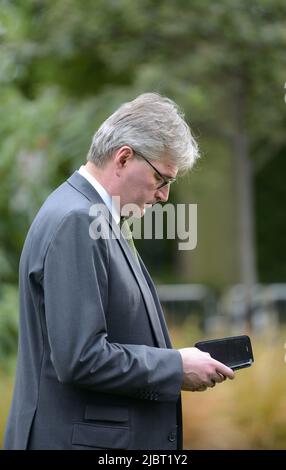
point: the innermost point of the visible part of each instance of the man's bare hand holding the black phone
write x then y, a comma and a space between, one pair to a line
201, 370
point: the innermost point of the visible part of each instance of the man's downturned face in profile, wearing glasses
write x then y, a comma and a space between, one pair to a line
141, 182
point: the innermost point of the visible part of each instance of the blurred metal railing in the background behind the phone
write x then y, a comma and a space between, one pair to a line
238, 308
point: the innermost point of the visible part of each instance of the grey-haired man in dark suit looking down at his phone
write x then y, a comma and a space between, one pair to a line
95, 366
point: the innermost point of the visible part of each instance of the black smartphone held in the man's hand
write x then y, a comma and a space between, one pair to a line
233, 351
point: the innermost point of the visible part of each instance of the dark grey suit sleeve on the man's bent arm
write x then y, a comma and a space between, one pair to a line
76, 296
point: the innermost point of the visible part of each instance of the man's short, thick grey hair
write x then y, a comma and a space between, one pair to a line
152, 125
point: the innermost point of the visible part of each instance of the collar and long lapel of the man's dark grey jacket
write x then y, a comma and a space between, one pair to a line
83, 186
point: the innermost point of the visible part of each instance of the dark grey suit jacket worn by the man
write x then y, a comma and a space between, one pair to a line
95, 366
